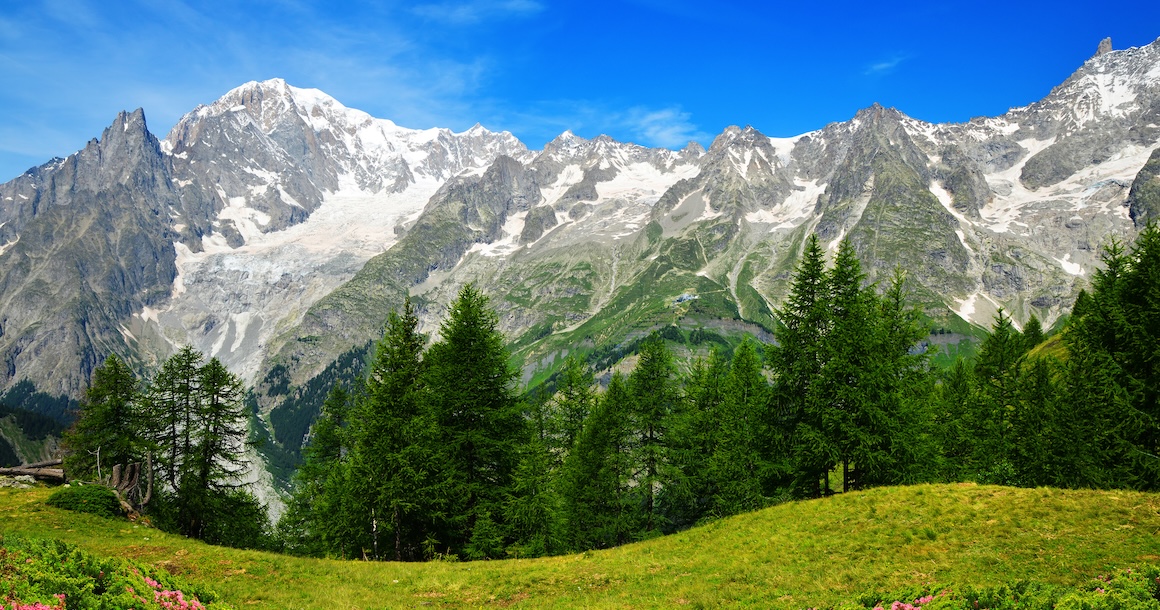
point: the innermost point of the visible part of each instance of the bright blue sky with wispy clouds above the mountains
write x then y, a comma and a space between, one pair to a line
656, 72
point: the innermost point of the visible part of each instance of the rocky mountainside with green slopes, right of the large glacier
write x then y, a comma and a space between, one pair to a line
594, 243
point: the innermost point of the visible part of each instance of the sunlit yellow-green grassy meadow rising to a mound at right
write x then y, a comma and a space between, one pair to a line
799, 555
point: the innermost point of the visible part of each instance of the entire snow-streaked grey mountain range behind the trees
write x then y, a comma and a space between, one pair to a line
277, 229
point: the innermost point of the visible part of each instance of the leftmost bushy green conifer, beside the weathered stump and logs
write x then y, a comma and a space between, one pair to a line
107, 431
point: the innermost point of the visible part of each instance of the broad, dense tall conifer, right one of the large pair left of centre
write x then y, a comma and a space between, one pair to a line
469, 389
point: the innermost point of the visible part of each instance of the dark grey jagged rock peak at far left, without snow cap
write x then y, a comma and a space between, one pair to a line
88, 243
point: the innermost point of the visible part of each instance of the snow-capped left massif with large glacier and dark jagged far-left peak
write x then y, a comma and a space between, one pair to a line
136, 245
